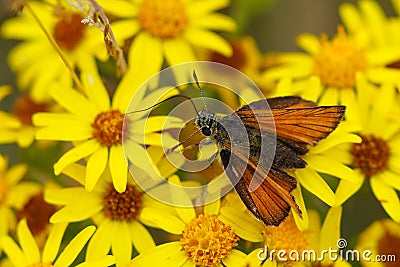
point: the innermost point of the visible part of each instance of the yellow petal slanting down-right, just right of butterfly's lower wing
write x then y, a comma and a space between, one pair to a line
314, 183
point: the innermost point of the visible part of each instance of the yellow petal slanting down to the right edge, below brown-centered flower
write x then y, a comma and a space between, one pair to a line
388, 198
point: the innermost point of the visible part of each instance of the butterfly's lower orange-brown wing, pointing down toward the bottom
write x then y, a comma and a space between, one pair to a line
271, 201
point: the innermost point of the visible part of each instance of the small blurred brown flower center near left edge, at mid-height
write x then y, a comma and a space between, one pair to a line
25, 108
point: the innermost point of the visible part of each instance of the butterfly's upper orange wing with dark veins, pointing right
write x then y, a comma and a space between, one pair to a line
296, 121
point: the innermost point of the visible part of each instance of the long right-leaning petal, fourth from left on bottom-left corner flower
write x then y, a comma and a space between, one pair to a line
71, 251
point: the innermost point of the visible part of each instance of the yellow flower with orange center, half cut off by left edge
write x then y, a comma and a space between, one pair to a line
13, 193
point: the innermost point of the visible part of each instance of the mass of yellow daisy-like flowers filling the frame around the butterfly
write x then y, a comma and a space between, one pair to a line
89, 168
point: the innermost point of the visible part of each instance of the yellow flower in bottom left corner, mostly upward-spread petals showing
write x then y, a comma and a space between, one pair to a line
29, 254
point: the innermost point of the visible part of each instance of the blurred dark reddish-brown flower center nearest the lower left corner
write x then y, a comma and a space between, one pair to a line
37, 213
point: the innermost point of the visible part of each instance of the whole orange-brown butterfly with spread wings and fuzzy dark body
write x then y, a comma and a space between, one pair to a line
297, 123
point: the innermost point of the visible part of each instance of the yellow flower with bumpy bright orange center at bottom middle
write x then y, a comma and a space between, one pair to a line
205, 240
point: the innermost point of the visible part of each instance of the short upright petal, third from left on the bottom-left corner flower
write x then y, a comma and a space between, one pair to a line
50, 250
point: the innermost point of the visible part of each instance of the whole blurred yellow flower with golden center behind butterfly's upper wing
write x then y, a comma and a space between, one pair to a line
326, 73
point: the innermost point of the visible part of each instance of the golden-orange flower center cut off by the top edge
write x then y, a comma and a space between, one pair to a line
163, 18
